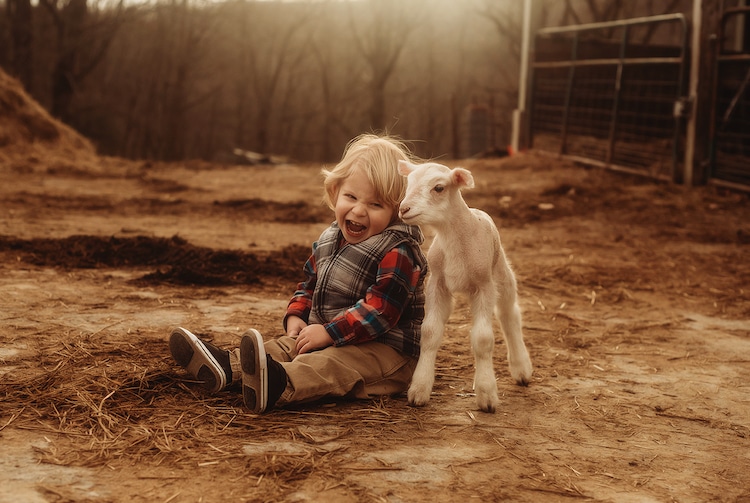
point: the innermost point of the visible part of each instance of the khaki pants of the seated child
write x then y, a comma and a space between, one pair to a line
356, 371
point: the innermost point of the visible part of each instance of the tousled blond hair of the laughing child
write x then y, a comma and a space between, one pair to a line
378, 156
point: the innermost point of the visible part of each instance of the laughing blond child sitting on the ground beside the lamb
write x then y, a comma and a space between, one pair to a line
352, 328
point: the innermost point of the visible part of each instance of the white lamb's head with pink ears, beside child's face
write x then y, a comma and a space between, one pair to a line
432, 190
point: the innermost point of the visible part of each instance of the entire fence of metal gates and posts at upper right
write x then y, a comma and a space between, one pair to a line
675, 107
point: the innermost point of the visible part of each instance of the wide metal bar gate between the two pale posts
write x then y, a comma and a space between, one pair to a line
599, 96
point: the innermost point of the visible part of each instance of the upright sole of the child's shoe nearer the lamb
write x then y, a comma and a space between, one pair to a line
254, 371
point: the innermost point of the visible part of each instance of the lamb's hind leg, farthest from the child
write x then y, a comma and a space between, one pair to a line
509, 313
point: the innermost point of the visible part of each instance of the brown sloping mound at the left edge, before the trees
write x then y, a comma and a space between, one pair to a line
31, 139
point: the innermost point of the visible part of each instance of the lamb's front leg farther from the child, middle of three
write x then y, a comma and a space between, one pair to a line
482, 344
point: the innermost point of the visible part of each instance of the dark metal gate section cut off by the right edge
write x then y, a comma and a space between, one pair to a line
730, 148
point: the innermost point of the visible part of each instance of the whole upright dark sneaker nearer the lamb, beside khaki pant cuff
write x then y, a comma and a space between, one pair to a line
263, 378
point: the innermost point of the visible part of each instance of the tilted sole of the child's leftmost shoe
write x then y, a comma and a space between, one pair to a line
192, 355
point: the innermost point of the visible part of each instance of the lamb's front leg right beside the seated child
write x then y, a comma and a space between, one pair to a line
438, 306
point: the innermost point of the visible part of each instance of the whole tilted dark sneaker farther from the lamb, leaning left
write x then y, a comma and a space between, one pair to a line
204, 361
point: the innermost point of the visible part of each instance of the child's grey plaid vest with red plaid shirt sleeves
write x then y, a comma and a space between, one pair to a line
373, 290
